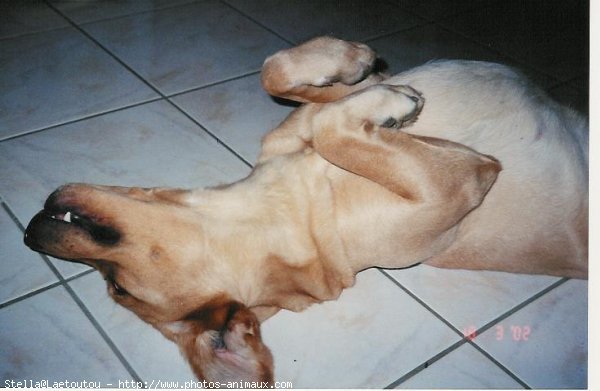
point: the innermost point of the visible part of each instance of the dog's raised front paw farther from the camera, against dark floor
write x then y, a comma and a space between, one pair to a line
321, 70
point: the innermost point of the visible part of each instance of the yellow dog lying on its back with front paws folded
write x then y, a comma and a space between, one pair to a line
456, 164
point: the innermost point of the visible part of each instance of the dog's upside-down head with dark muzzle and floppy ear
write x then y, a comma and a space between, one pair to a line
151, 248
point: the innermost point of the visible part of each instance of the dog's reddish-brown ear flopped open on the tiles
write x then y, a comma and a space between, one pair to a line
222, 343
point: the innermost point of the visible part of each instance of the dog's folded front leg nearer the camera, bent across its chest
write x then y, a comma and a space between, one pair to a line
360, 134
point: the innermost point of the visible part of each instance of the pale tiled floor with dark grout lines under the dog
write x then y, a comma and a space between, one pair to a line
166, 93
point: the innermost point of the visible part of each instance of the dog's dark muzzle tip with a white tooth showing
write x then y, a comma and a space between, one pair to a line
53, 229
